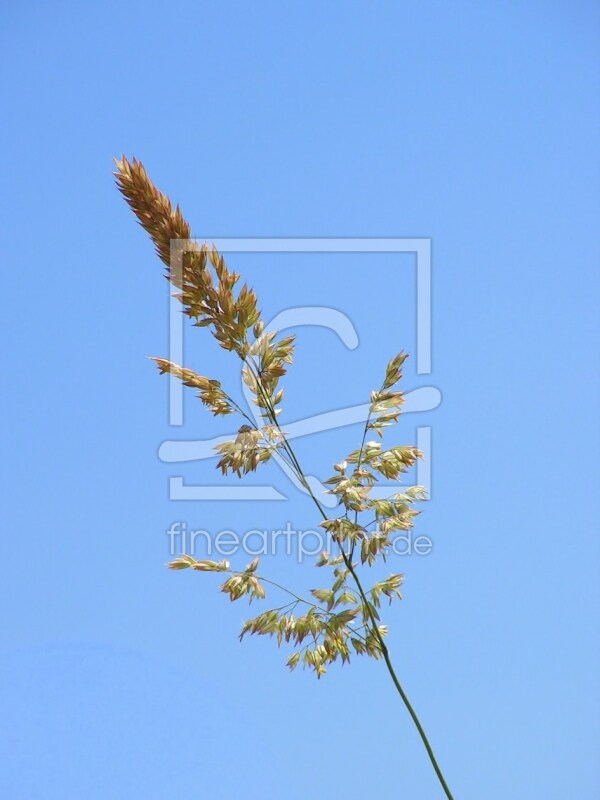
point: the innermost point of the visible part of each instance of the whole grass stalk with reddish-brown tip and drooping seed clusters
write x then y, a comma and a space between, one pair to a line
344, 619
